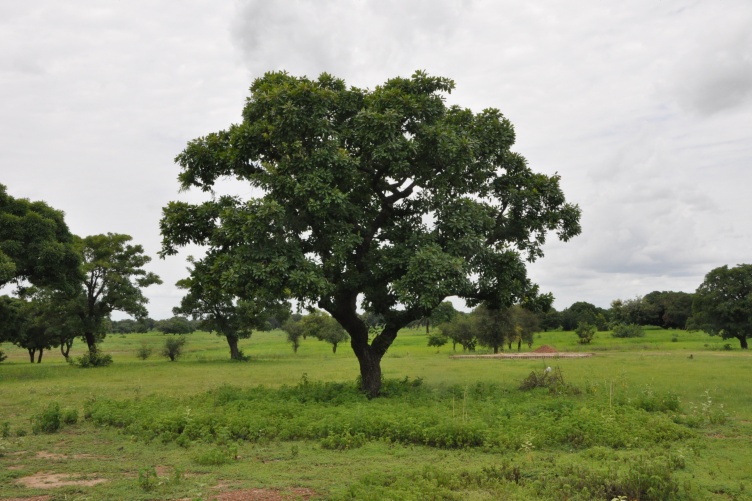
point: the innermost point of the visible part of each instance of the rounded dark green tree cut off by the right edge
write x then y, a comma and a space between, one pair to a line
722, 304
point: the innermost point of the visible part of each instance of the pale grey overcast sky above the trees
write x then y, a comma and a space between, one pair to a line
644, 108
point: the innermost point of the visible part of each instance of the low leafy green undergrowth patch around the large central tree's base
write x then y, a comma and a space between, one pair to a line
483, 416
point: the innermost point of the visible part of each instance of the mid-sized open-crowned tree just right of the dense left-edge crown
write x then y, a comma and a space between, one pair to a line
114, 276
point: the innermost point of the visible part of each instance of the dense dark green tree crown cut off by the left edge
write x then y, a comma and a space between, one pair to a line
35, 245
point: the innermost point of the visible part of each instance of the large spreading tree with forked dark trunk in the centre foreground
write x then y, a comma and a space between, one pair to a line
386, 196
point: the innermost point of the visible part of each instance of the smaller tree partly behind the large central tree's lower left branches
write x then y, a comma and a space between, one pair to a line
218, 311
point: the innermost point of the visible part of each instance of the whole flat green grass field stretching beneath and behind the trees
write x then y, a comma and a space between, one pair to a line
666, 416
